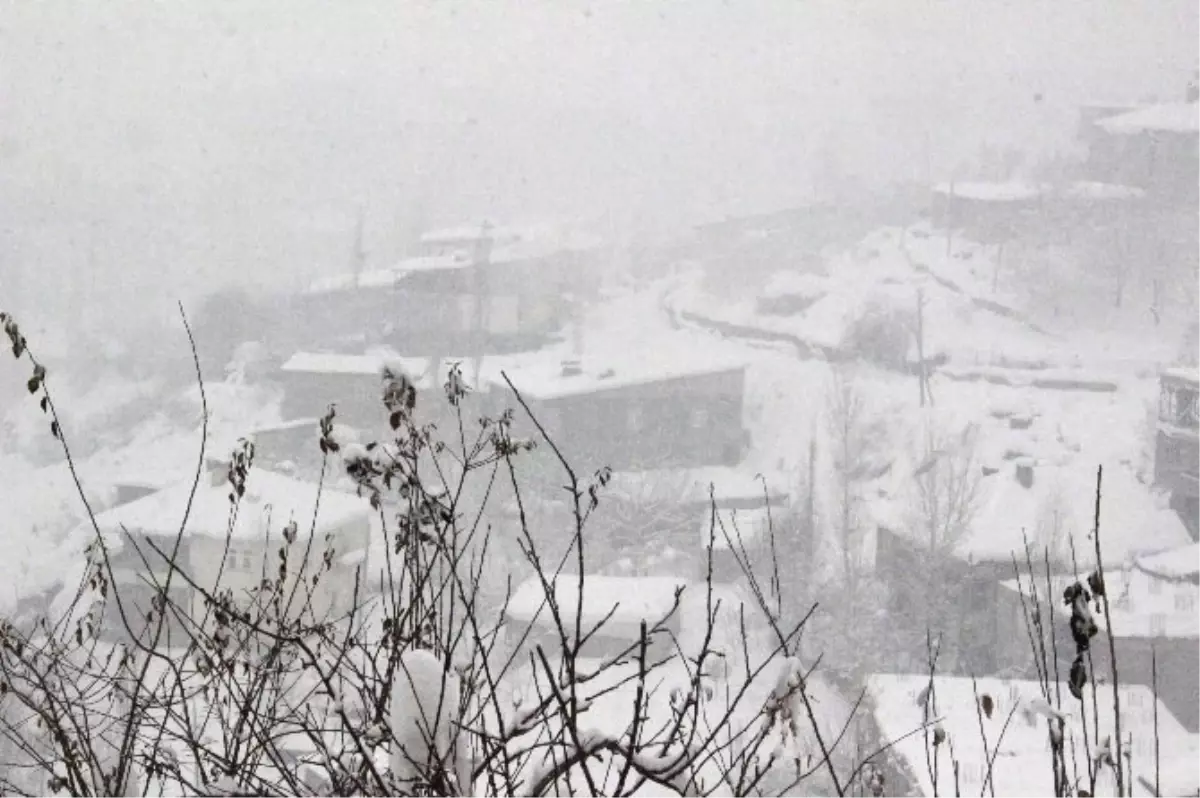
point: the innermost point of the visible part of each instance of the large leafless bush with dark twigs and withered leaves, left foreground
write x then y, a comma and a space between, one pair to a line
418, 689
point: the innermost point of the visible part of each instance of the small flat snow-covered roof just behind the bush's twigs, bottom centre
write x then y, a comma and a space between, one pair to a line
629, 599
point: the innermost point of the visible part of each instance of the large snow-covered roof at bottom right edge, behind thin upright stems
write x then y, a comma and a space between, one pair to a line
1019, 754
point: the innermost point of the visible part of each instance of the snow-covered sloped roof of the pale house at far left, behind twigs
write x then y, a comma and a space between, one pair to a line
271, 502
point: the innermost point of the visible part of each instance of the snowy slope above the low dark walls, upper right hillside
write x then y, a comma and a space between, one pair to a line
977, 310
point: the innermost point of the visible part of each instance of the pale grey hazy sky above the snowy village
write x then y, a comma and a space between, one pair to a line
169, 146
